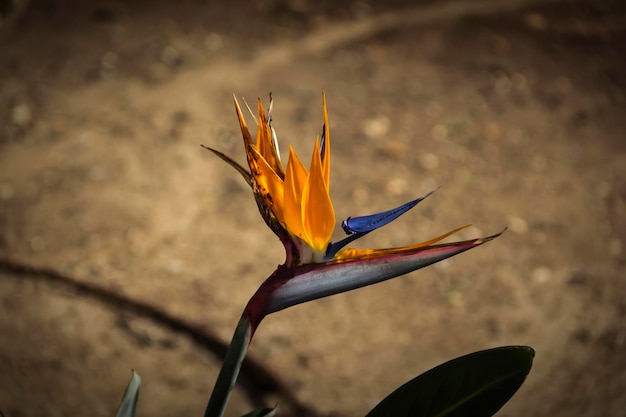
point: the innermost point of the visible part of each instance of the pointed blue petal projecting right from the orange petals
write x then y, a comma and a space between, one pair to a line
357, 227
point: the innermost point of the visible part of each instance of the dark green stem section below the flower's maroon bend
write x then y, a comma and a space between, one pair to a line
230, 369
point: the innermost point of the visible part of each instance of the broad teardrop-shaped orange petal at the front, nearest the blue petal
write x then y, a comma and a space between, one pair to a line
317, 209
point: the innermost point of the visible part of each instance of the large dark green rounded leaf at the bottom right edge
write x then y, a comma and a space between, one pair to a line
475, 385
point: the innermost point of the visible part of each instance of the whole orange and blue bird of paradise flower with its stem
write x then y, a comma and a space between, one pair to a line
295, 203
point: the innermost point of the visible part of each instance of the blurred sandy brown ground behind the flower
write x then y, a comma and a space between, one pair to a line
518, 110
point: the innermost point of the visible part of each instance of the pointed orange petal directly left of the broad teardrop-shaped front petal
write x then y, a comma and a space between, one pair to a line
295, 178
